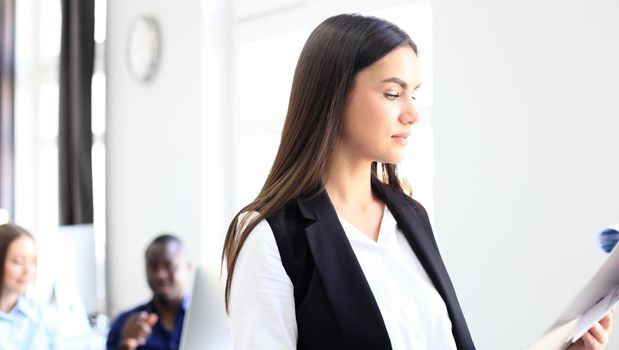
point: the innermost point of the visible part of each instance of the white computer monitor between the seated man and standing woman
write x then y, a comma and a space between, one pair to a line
206, 325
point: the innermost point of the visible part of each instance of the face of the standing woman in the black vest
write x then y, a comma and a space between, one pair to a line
381, 109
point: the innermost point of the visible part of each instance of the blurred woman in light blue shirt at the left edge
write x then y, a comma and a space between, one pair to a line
22, 325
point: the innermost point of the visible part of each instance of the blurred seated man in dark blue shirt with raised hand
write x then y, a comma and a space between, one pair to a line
157, 324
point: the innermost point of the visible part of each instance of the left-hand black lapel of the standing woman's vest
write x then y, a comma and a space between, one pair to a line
345, 285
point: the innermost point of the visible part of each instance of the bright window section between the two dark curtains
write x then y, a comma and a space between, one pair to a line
36, 113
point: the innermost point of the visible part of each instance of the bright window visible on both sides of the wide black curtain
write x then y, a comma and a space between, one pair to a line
38, 31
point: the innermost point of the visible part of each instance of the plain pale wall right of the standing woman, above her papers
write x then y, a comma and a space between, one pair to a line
526, 155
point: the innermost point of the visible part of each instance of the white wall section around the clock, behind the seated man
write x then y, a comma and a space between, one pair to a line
153, 144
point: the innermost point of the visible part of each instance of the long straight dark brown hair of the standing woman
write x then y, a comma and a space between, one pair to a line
334, 53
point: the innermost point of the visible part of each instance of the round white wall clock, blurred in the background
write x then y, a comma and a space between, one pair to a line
143, 48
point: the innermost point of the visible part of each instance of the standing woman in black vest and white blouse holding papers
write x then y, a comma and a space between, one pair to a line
332, 254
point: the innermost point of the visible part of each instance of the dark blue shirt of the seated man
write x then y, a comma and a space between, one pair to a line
160, 338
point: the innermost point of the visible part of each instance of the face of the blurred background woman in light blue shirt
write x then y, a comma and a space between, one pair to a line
20, 265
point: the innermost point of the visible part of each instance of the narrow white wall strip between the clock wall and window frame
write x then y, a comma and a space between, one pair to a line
215, 131
